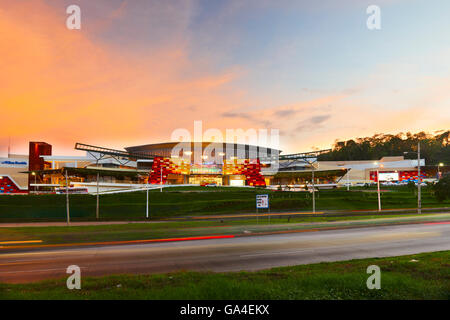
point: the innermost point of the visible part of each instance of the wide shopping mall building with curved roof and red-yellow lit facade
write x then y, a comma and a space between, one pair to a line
191, 163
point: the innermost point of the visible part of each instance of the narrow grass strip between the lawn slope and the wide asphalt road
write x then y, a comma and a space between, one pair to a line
158, 230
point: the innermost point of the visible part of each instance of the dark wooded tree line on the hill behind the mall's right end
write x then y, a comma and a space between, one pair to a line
434, 148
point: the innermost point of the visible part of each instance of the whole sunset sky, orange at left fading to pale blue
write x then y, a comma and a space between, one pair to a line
139, 69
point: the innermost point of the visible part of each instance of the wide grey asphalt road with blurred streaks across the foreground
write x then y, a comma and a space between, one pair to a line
234, 254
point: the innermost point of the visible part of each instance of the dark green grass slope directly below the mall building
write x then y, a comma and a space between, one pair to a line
182, 201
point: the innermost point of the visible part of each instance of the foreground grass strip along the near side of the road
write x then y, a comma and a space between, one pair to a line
421, 276
